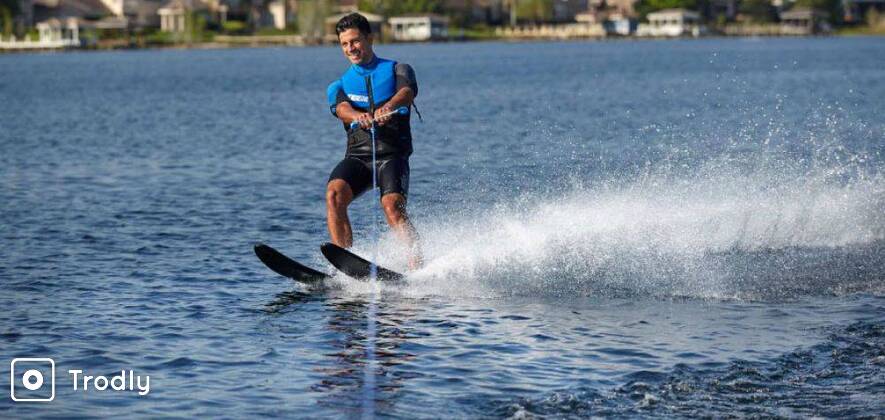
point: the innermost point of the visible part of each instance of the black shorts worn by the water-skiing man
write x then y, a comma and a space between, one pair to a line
393, 174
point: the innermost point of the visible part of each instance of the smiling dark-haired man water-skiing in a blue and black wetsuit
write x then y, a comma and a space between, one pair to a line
393, 85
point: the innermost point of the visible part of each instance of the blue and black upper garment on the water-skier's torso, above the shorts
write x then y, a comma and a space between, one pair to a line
394, 139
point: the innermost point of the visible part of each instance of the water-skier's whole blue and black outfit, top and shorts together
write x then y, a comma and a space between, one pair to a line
393, 140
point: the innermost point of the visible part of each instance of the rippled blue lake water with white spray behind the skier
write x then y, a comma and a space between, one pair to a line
656, 228
